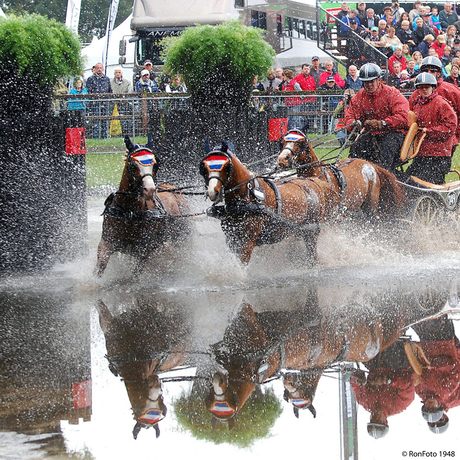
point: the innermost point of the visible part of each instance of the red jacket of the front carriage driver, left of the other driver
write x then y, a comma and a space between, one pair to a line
387, 103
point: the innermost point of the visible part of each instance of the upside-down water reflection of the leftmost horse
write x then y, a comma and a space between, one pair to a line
142, 343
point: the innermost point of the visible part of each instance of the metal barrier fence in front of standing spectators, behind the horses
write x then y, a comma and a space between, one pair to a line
267, 117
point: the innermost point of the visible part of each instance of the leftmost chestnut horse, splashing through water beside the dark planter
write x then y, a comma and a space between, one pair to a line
136, 219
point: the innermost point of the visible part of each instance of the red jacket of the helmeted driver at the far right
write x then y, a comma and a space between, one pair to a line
438, 117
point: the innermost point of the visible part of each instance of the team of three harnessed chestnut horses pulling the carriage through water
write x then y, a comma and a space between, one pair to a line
255, 210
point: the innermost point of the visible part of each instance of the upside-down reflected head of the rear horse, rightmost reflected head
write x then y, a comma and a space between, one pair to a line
300, 389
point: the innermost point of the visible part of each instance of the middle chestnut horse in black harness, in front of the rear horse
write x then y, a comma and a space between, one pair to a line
259, 211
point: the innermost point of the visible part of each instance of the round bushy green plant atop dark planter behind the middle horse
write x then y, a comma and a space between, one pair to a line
219, 63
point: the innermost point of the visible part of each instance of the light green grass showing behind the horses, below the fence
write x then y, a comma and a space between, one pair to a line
106, 168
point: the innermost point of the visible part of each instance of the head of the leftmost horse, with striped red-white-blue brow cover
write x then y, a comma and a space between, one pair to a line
141, 166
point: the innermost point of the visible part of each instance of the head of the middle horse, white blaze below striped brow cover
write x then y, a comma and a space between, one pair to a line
217, 169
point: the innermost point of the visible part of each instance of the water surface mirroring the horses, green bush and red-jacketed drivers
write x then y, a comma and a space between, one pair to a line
254, 367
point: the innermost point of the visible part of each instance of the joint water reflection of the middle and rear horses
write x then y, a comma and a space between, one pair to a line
300, 345
